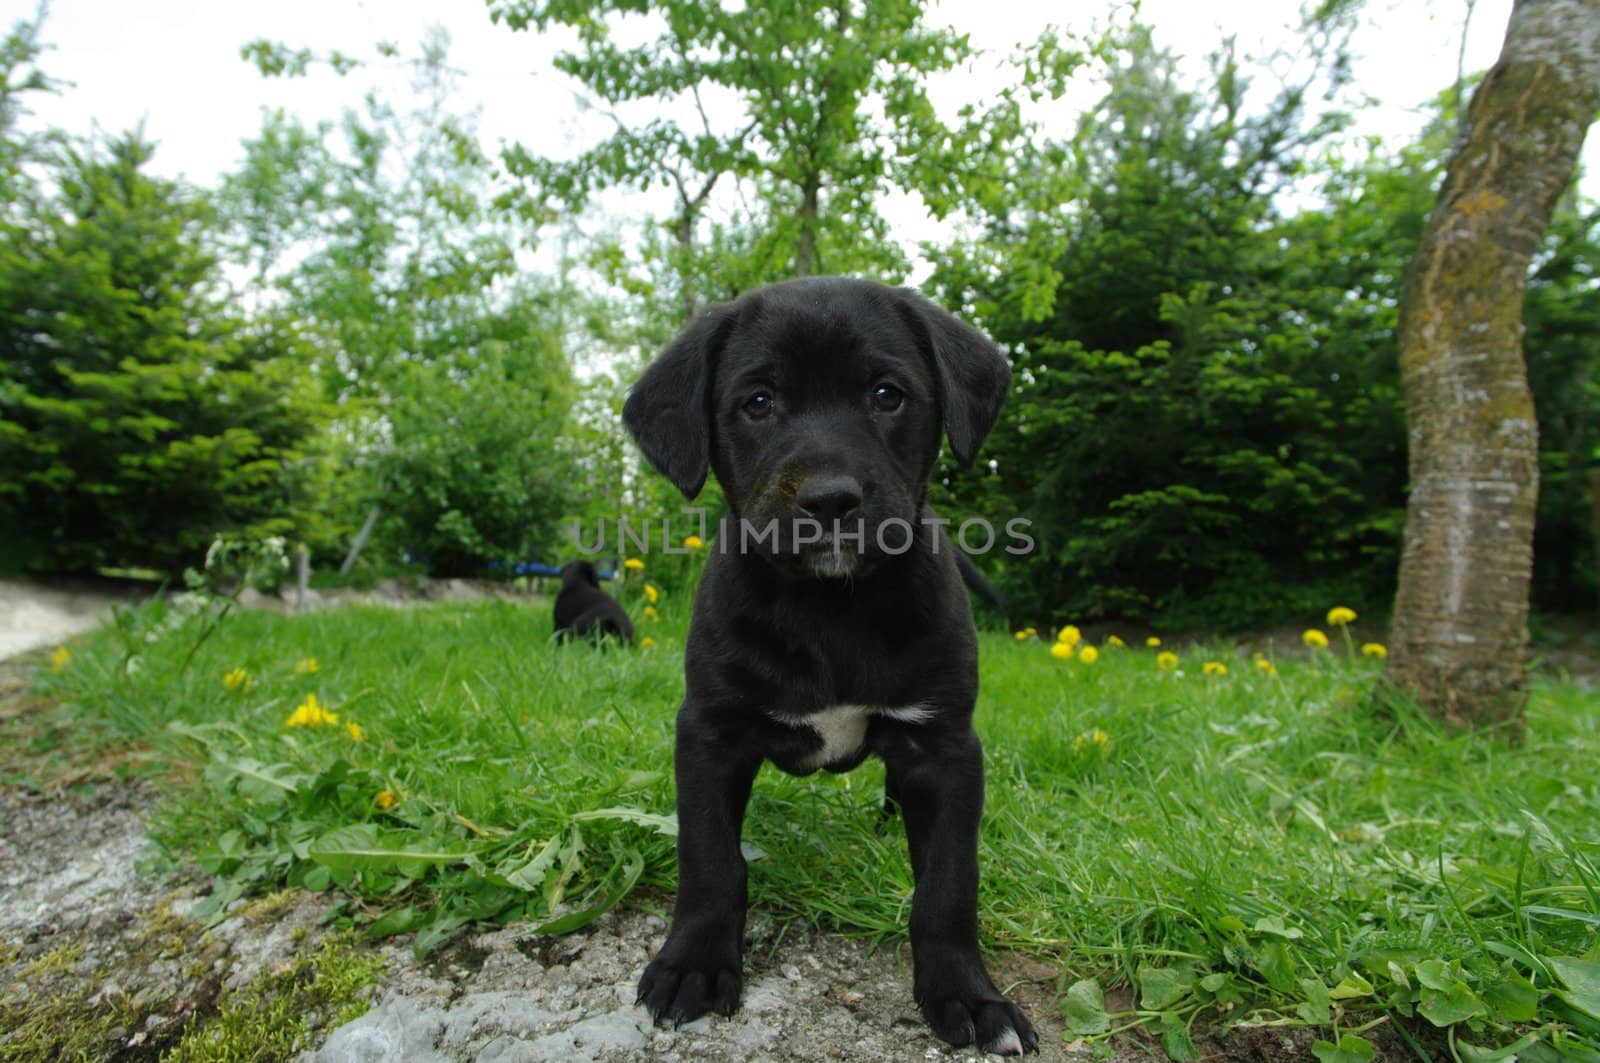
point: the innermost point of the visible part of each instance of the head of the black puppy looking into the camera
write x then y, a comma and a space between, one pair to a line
820, 406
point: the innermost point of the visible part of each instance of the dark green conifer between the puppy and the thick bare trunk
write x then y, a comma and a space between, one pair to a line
1202, 425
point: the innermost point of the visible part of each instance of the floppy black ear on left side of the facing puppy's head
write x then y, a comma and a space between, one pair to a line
668, 412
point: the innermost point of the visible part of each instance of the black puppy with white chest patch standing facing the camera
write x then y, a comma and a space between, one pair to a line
831, 622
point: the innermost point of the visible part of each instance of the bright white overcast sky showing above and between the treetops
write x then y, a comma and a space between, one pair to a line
174, 65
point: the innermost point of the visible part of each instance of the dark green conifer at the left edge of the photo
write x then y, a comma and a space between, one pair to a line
142, 415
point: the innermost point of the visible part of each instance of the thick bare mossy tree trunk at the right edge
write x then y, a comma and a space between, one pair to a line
1462, 612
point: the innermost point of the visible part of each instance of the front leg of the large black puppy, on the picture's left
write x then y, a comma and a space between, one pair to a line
700, 968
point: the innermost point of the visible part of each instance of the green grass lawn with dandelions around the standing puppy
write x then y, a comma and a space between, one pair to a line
1281, 848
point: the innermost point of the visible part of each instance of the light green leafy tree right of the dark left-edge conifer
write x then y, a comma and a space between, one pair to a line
382, 244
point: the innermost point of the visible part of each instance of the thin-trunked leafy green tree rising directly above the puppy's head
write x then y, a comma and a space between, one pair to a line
834, 114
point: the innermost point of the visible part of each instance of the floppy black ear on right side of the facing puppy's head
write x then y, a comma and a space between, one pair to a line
974, 375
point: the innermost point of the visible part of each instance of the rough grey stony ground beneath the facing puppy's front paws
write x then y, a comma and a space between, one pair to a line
513, 998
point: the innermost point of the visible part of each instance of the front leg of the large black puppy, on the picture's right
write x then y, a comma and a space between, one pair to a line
940, 787
